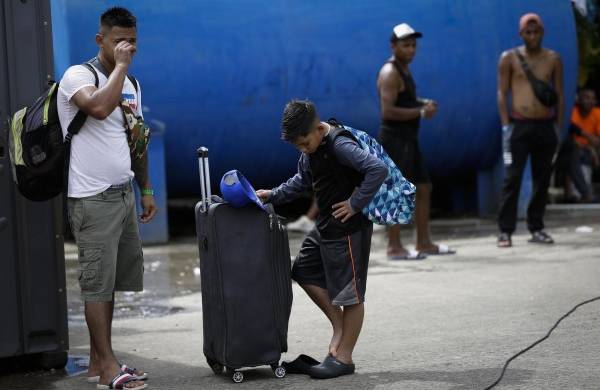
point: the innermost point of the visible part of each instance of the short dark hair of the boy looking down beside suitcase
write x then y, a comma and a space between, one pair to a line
298, 119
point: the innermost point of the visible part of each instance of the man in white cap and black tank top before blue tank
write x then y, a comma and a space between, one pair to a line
401, 112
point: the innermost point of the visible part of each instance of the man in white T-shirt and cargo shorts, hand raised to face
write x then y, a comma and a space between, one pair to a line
101, 202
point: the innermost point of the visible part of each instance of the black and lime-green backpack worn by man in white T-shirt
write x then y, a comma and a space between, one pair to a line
39, 156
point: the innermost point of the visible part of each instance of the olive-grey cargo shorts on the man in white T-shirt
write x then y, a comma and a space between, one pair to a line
108, 243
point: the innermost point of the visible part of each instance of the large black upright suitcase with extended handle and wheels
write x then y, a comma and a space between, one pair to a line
246, 287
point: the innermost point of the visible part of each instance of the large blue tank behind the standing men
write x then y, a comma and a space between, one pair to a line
218, 73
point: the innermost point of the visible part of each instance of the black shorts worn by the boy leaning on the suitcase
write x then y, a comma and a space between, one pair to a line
338, 265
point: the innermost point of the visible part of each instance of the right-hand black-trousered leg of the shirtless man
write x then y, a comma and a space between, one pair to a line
541, 172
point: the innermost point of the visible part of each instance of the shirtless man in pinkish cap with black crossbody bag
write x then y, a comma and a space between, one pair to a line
532, 126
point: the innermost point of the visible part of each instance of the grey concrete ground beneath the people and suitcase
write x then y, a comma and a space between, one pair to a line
449, 322
